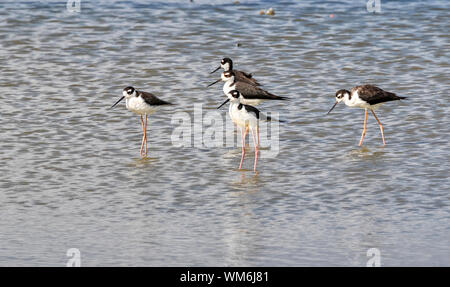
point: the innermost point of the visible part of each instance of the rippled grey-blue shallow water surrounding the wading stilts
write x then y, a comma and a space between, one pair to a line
70, 171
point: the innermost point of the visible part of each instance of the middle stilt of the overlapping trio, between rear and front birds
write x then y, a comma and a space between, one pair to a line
251, 95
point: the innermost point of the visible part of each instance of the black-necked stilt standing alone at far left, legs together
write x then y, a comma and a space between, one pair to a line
141, 103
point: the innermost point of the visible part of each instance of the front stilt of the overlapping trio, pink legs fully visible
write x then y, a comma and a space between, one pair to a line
246, 117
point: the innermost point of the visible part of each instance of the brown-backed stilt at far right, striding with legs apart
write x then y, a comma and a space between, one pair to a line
367, 97
